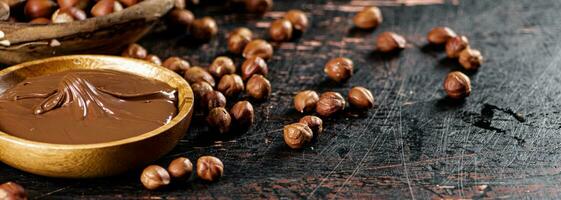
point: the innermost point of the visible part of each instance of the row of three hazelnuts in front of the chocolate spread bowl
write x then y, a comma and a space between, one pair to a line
208, 168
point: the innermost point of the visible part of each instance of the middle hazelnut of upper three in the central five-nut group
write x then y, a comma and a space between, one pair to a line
330, 103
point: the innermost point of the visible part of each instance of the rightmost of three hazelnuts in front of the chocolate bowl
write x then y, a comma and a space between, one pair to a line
209, 168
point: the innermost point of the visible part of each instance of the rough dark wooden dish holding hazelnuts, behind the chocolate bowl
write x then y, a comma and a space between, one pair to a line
98, 35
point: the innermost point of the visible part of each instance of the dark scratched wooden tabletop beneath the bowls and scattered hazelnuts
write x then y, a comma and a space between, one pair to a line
503, 141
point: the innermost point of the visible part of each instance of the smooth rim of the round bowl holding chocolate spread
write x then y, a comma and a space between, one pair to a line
181, 115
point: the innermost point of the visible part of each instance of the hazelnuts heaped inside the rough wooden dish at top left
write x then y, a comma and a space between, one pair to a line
59, 11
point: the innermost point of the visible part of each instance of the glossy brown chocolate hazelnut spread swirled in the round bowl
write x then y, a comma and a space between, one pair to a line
86, 107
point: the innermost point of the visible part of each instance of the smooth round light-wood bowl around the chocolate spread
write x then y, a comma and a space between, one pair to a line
102, 159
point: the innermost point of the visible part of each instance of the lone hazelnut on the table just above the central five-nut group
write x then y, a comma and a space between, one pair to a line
339, 69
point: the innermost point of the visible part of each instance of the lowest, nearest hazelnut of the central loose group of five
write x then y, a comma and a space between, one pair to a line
297, 135
